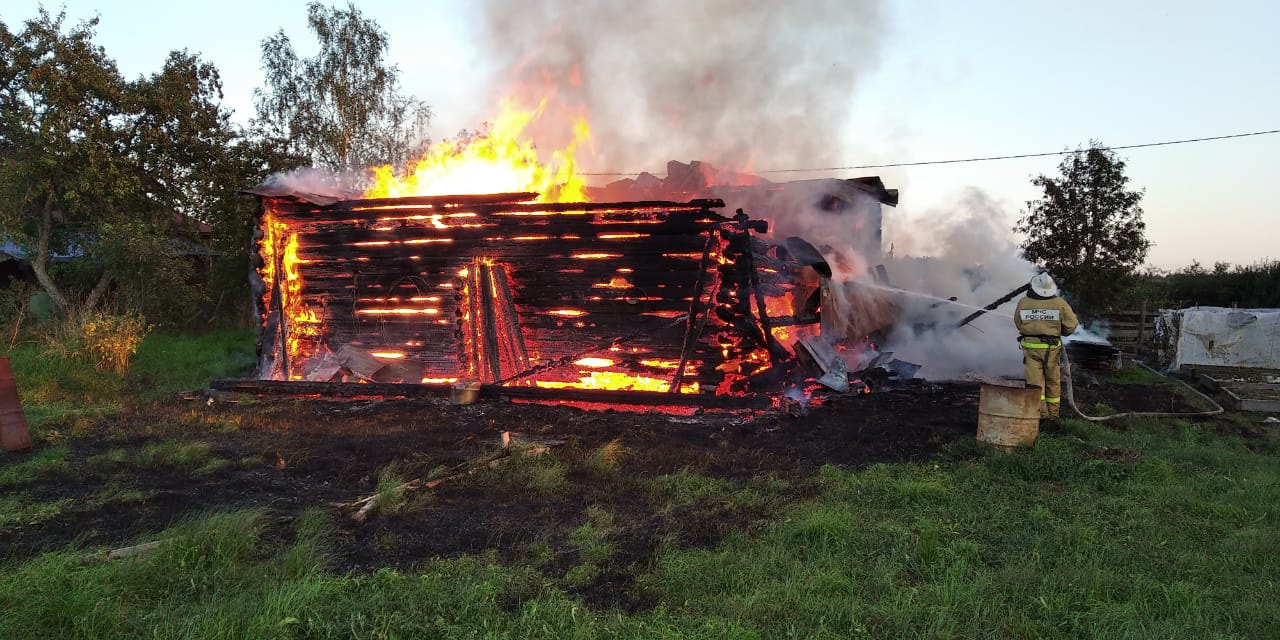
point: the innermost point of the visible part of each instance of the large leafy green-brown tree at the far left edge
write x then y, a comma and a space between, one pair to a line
100, 168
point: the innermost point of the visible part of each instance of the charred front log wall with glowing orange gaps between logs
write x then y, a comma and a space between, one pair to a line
495, 289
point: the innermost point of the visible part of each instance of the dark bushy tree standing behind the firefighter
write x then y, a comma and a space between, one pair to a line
1087, 230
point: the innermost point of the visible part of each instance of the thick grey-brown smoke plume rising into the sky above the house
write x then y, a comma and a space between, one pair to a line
742, 84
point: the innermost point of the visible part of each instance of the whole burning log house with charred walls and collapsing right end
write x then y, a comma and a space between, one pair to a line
636, 299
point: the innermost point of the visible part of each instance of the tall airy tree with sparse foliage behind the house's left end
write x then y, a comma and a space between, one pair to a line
342, 108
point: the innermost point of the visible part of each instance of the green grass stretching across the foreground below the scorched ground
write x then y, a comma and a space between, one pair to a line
1180, 538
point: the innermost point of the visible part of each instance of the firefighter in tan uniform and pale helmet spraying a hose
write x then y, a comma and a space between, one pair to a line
1043, 321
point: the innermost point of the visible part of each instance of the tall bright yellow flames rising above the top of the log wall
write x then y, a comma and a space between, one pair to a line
501, 161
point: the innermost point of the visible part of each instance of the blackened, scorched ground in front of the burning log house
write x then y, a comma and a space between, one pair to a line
661, 479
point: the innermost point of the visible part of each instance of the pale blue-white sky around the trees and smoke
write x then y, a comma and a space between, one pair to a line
954, 80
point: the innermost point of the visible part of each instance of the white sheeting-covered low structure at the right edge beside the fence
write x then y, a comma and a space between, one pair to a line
1222, 337
